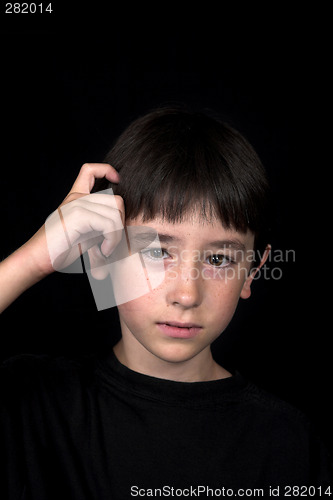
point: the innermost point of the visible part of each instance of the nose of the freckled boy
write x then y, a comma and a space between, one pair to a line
185, 286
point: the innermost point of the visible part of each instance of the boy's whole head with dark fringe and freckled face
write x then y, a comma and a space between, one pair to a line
201, 187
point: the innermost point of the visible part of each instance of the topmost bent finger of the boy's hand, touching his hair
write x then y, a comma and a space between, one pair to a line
89, 173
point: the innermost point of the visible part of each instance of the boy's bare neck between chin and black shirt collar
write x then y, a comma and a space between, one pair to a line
201, 368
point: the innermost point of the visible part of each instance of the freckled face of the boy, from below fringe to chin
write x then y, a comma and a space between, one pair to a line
206, 271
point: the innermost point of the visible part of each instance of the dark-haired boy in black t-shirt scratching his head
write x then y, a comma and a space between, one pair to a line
157, 416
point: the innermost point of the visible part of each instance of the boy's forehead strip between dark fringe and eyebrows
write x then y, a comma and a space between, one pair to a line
196, 232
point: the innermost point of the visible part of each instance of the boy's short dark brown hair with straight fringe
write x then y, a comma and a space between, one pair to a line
172, 161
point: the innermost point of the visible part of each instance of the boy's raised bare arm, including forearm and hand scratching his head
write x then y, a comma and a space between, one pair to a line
32, 261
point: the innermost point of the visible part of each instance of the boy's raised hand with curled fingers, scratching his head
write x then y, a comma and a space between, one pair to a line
85, 220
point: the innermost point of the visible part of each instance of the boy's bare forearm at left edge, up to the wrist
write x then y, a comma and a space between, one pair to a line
20, 271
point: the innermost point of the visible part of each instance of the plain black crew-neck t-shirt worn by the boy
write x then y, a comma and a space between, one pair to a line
94, 429
